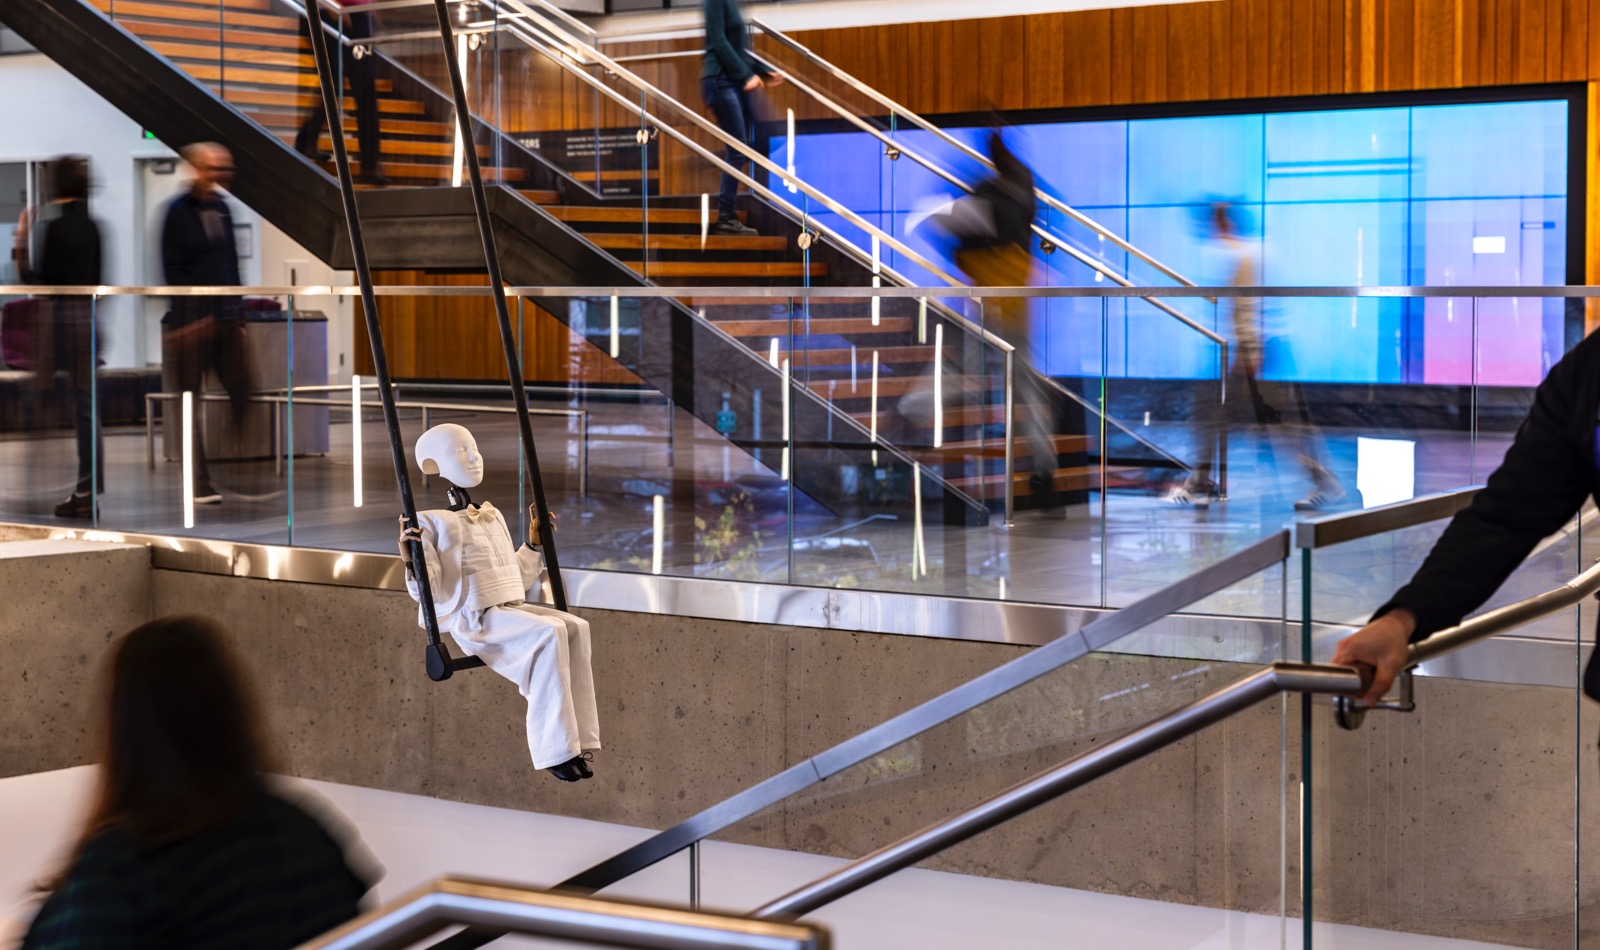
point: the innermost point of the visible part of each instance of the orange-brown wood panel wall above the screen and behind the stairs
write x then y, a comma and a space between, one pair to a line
1145, 55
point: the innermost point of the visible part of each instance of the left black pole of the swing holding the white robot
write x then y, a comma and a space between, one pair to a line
438, 653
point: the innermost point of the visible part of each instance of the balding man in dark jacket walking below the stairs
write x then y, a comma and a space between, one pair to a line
206, 335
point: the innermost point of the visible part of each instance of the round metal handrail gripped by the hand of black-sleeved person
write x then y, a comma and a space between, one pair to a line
1343, 684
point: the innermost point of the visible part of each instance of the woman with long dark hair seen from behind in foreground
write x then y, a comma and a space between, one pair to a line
186, 844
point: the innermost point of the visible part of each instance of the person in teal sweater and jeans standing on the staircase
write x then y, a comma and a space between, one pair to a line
727, 81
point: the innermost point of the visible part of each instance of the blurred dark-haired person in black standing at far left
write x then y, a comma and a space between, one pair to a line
70, 255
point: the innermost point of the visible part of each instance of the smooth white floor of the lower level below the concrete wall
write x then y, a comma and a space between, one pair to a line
420, 839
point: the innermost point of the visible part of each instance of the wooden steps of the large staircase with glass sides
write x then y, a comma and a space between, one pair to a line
250, 55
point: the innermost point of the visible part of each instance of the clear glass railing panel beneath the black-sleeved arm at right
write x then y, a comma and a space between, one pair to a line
1462, 820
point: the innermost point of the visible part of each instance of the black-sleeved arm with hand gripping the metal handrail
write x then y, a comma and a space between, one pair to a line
1548, 473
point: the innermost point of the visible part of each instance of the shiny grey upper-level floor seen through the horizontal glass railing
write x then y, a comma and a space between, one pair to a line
726, 514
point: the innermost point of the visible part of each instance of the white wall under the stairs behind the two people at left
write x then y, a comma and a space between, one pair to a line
47, 113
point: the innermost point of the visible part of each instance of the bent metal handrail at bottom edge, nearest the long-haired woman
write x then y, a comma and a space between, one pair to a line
564, 917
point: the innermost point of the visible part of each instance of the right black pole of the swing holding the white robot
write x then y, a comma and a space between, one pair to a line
502, 311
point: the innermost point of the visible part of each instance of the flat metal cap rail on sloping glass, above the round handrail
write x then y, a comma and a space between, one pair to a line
1038, 663
